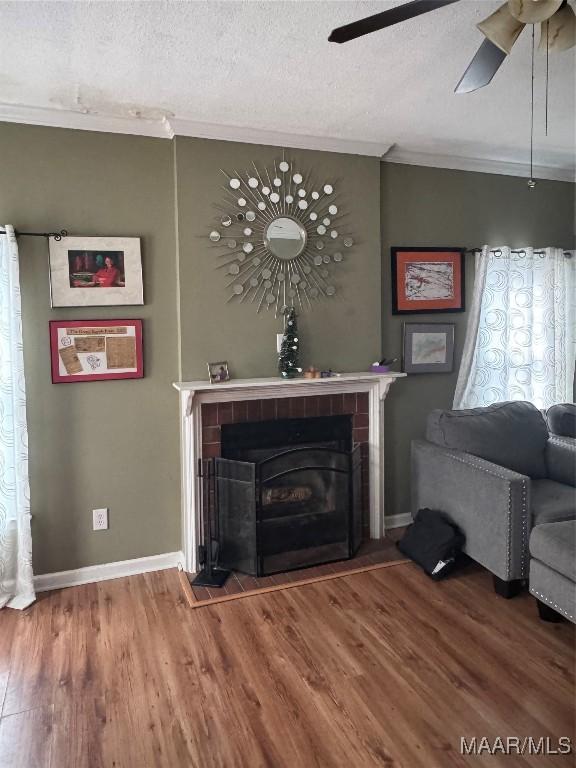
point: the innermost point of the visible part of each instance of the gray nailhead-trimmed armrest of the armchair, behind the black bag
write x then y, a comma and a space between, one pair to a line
489, 503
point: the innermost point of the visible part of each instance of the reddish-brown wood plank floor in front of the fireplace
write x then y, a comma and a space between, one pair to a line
384, 668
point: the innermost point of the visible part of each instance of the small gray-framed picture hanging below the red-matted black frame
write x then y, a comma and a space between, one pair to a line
428, 347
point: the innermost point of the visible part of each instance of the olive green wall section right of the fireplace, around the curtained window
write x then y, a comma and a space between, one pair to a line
438, 207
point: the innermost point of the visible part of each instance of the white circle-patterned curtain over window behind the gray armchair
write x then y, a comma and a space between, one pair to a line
520, 340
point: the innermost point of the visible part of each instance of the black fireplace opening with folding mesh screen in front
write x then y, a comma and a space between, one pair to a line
287, 494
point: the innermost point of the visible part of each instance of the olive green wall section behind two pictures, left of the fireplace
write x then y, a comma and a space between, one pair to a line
106, 444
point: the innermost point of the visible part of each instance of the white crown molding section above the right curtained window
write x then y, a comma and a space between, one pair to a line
478, 165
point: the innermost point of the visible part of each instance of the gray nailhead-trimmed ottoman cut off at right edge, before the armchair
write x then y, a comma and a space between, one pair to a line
553, 569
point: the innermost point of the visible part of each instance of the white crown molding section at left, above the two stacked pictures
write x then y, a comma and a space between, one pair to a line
85, 121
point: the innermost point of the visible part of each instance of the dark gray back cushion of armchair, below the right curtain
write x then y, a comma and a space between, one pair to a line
512, 435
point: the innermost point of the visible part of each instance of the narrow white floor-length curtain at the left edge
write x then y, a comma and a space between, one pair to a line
16, 582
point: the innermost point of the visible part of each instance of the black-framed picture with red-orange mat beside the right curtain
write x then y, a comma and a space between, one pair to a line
427, 280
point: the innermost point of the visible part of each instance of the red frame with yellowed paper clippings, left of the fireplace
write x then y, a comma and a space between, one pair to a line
95, 350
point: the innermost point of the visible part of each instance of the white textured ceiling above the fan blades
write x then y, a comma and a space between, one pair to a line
268, 65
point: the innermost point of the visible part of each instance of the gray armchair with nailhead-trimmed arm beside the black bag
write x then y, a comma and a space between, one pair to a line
495, 472
